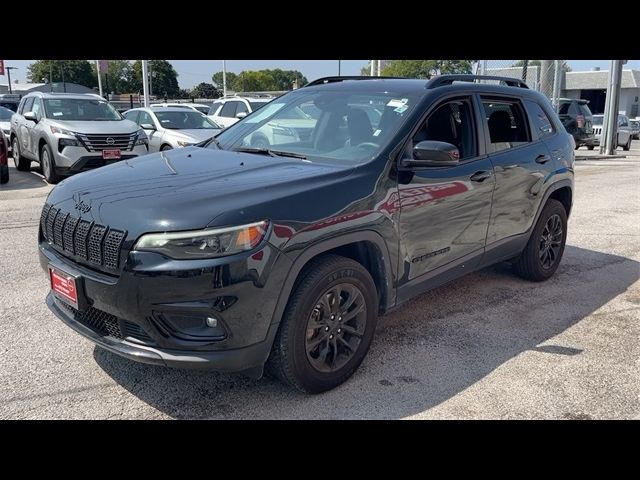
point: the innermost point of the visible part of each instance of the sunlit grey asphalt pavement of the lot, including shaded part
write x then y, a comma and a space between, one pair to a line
489, 345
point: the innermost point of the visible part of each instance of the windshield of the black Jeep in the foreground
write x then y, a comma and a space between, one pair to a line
345, 127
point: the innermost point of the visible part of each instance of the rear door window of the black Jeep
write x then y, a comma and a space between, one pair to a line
506, 123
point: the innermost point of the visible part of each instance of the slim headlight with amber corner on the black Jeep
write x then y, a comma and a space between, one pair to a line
211, 243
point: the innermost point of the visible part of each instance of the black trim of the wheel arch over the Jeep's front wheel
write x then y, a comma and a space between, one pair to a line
366, 247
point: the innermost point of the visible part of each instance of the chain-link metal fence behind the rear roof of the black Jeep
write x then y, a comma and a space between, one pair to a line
545, 76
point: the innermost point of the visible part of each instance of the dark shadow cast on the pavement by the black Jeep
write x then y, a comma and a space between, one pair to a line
431, 349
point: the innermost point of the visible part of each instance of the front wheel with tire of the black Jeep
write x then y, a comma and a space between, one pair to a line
293, 357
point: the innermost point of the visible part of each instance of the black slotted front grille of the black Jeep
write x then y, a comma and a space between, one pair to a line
82, 240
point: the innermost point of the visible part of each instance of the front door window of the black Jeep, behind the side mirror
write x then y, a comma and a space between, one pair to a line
452, 123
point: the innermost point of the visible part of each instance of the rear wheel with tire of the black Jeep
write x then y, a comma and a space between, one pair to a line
531, 263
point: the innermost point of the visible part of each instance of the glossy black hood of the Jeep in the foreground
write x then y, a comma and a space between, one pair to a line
188, 188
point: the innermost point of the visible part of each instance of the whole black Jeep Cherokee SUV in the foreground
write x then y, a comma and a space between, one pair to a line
241, 253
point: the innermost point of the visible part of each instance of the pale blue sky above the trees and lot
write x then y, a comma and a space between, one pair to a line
192, 72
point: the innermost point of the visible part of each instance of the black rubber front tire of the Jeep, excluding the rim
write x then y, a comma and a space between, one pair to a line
310, 379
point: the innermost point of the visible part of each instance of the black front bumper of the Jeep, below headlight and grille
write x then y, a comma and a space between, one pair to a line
155, 311
